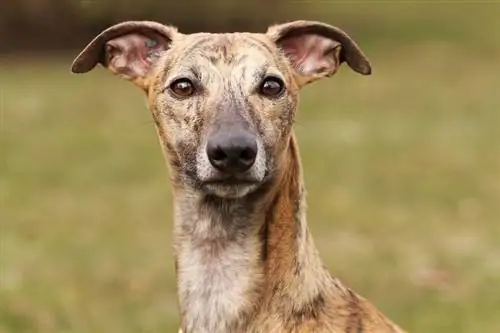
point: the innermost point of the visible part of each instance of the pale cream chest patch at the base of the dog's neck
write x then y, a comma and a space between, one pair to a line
215, 283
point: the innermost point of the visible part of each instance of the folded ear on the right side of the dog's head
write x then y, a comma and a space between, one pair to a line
317, 50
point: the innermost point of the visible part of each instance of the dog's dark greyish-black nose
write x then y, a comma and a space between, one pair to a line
232, 153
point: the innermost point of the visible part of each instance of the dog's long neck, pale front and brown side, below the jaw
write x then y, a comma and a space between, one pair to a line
235, 258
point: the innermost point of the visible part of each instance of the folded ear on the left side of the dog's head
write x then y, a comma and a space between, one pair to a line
128, 49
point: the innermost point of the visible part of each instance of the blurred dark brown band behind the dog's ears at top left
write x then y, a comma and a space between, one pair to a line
56, 24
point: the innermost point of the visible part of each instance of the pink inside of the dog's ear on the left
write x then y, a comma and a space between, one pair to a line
132, 55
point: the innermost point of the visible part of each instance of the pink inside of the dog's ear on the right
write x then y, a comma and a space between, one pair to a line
311, 54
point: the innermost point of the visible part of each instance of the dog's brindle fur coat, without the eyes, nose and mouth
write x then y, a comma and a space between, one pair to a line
245, 259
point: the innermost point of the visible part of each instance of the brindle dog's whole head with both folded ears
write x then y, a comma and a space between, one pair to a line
223, 104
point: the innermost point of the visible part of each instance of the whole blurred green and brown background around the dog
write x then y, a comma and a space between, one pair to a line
402, 167
